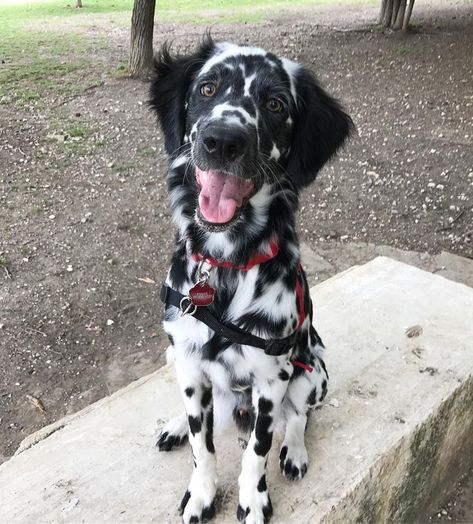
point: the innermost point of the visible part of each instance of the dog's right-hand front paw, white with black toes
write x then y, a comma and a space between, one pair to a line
255, 505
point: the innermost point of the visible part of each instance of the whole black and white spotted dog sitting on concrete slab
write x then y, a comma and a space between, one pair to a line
246, 131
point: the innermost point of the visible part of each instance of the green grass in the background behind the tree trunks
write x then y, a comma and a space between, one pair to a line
44, 44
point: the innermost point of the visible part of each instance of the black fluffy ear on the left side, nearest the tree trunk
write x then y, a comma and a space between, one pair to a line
169, 88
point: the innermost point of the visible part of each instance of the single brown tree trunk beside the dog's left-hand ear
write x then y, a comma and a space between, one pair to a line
140, 61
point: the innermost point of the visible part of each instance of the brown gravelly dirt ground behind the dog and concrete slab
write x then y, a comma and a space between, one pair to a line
85, 228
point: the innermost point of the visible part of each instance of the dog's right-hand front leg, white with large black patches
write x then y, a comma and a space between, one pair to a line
255, 504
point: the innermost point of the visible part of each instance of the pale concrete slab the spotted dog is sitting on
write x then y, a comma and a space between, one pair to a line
396, 429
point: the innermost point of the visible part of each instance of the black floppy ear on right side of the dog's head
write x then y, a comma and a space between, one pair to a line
322, 126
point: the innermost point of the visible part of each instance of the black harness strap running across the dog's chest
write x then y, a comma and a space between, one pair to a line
273, 346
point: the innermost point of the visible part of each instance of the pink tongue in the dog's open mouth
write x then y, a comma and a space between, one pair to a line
221, 194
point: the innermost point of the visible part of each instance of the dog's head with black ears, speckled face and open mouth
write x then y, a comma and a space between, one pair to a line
244, 121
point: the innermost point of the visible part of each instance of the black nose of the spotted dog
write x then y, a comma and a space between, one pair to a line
224, 143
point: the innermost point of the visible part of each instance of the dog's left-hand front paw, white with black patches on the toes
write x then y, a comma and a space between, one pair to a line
198, 503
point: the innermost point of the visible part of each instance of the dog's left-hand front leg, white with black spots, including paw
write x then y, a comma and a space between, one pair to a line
198, 502
